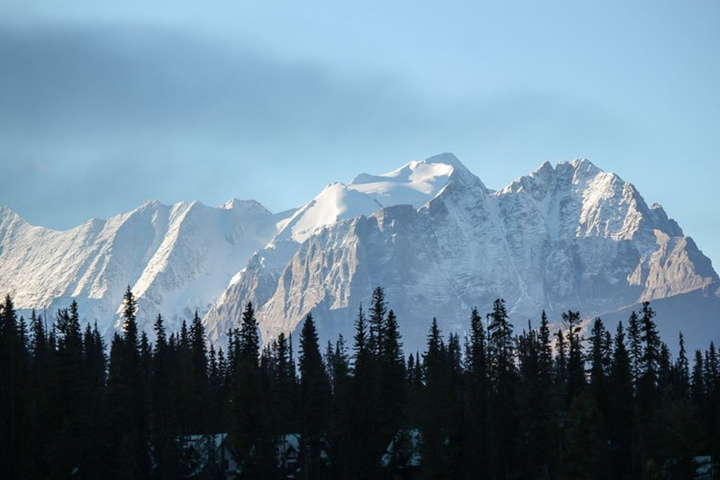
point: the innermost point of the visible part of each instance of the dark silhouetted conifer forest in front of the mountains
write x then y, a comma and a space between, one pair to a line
496, 404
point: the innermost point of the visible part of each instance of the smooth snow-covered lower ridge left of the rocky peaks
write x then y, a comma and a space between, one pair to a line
177, 259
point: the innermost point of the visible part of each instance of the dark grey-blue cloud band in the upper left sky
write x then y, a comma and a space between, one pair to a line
114, 80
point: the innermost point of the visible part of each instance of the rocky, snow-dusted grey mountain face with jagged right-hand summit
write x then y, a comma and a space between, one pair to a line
569, 237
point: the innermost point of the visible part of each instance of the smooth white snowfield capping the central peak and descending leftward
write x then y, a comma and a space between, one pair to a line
417, 182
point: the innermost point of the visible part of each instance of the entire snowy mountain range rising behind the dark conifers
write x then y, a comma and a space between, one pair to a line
564, 237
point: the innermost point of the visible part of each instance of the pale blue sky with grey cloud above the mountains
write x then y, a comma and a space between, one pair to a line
104, 105
